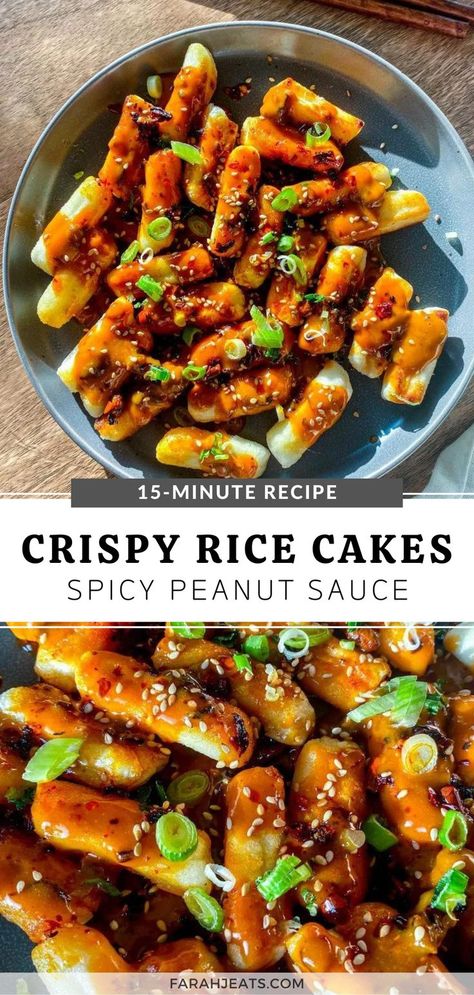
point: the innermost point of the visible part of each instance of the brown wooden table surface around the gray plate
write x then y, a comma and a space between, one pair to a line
50, 47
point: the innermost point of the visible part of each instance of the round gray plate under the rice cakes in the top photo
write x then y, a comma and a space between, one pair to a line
426, 149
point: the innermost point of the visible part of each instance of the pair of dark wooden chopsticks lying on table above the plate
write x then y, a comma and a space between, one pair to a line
448, 17
